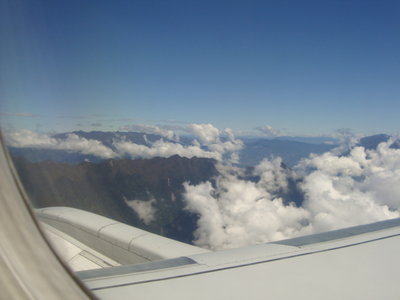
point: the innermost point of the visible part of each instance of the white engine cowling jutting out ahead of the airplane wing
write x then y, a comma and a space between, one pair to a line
82, 237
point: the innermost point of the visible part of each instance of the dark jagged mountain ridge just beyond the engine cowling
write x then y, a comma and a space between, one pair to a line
103, 188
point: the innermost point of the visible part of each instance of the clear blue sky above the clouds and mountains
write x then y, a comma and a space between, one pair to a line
302, 67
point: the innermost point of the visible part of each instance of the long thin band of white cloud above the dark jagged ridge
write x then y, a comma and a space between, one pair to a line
208, 142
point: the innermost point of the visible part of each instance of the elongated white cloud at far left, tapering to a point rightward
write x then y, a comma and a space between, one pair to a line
73, 143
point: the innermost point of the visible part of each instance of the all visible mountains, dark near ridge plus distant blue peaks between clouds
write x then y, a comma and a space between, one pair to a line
107, 187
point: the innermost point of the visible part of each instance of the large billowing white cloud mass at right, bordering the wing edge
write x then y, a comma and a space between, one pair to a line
339, 191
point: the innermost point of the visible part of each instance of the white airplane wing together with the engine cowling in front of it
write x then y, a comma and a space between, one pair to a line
355, 263
